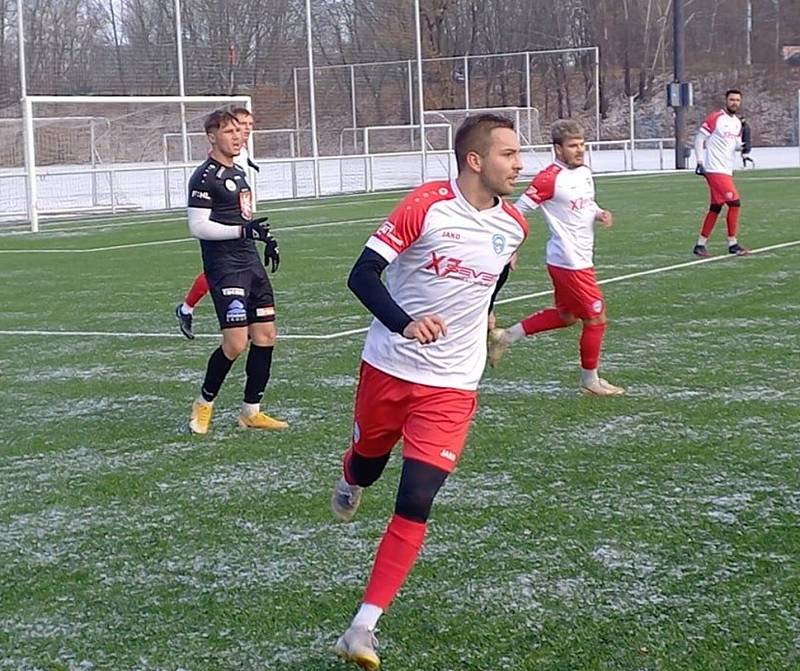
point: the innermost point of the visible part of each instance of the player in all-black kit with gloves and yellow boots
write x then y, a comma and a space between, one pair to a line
221, 217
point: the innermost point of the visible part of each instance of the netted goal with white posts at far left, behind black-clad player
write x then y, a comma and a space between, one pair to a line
88, 153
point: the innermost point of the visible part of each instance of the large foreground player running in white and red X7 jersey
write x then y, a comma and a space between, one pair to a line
443, 248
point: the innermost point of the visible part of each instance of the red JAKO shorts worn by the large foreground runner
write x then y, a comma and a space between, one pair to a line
432, 421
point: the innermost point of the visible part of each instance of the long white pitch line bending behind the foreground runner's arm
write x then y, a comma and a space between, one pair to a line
349, 332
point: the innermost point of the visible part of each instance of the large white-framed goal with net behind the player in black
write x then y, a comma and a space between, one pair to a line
125, 166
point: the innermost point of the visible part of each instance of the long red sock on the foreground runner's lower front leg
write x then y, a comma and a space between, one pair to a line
396, 555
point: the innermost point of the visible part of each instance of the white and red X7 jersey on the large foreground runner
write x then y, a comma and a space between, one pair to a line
445, 257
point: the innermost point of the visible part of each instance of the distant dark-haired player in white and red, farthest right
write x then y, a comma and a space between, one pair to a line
715, 148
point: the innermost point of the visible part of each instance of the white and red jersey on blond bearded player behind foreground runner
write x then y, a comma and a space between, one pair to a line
566, 197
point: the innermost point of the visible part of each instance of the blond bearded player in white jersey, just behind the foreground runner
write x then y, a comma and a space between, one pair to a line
564, 191
